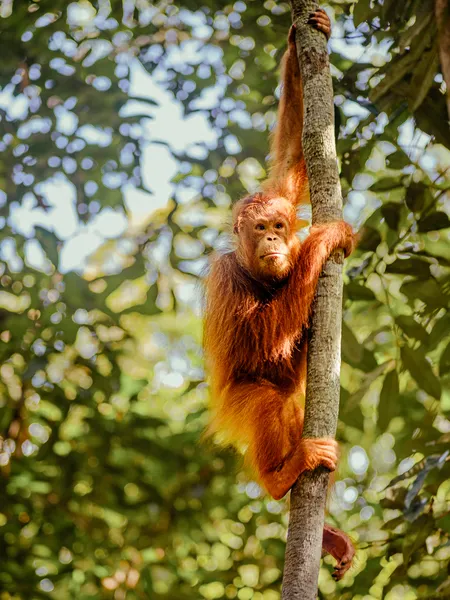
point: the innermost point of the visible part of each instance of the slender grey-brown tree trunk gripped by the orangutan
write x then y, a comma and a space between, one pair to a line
308, 496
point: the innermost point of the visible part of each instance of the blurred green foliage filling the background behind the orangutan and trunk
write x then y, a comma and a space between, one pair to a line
106, 490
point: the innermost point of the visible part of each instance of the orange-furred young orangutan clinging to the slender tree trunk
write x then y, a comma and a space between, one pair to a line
257, 318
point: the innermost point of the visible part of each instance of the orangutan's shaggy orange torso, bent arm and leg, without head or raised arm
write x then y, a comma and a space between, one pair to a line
255, 346
